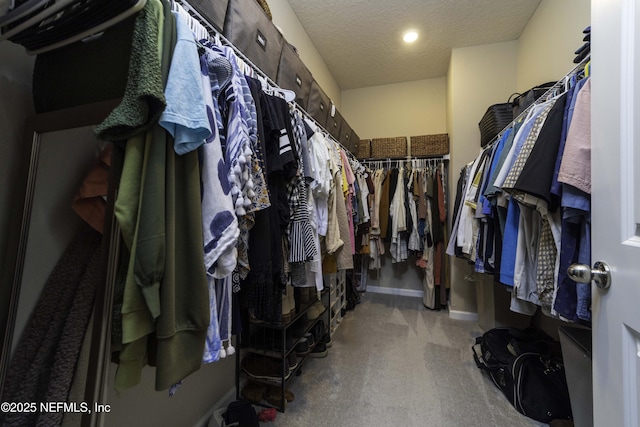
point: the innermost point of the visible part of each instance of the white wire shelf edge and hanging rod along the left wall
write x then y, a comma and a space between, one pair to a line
201, 27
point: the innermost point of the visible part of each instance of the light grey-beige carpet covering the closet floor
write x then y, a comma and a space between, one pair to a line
395, 363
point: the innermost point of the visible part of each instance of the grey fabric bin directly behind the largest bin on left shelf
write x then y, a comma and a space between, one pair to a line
293, 74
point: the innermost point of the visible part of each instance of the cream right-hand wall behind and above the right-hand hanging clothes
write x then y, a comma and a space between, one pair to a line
478, 77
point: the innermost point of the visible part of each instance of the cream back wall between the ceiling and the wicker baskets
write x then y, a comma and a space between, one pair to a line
401, 109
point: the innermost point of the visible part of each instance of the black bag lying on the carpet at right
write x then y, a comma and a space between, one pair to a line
527, 366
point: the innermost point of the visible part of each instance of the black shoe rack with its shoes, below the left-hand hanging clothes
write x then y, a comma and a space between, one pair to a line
270, 355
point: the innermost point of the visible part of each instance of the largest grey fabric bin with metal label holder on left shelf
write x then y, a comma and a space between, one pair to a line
248, 27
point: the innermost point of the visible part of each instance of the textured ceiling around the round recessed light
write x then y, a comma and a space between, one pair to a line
361, 40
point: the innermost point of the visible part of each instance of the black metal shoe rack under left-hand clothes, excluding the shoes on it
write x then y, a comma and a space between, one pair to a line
270, 346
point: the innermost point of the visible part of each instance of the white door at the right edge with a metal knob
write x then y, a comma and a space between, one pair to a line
615, 160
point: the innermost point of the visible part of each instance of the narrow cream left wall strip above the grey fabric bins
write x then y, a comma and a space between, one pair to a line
285, 18
